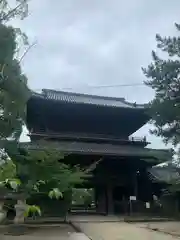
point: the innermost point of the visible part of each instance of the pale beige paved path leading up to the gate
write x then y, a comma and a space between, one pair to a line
120, 231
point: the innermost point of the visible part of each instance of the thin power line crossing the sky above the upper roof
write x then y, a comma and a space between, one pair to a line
102, 86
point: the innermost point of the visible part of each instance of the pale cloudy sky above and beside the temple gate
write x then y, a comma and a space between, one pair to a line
85, 43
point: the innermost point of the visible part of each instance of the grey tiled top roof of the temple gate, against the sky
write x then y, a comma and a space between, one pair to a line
86, 99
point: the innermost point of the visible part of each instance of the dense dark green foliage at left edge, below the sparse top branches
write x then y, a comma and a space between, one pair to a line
13, 85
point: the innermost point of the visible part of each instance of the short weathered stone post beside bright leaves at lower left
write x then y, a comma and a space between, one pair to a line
20, 208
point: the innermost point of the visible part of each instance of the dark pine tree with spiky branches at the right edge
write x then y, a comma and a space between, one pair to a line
164, 78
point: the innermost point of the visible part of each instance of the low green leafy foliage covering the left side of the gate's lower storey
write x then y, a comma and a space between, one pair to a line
45, 172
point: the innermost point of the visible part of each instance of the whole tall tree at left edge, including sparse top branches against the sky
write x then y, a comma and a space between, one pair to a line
14, 92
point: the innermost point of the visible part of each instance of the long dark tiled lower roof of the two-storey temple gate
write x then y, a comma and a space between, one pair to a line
95, 149
